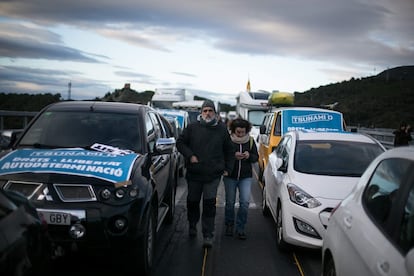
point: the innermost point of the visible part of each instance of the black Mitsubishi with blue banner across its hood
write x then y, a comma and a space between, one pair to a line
101, 174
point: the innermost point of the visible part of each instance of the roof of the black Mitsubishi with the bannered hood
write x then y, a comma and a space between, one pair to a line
119, 107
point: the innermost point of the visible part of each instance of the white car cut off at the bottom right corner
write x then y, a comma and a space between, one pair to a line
372, 231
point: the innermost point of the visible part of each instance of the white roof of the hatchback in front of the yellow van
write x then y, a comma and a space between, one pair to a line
340, 135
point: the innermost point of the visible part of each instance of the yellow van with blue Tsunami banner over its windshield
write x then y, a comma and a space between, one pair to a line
280, 120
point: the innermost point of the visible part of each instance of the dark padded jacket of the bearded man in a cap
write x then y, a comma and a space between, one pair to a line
212, 146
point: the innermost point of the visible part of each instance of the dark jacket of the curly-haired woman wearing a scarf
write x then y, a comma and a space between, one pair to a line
243, 168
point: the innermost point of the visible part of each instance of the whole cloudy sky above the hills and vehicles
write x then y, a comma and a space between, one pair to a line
209, 47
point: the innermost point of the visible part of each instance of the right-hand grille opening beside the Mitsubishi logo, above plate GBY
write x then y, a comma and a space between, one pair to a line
75, 192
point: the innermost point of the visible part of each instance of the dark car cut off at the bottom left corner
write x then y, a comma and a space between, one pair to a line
24, 245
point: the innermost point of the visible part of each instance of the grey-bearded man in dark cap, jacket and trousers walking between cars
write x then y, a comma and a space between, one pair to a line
209, 154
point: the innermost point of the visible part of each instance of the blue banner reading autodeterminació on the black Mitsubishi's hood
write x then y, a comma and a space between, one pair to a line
76, 161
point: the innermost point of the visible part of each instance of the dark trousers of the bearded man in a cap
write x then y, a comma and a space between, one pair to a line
208, 190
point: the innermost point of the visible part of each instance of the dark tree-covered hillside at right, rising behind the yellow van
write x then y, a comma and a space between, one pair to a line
381, 101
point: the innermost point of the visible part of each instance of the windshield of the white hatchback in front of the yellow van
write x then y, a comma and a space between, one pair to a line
336, 158
